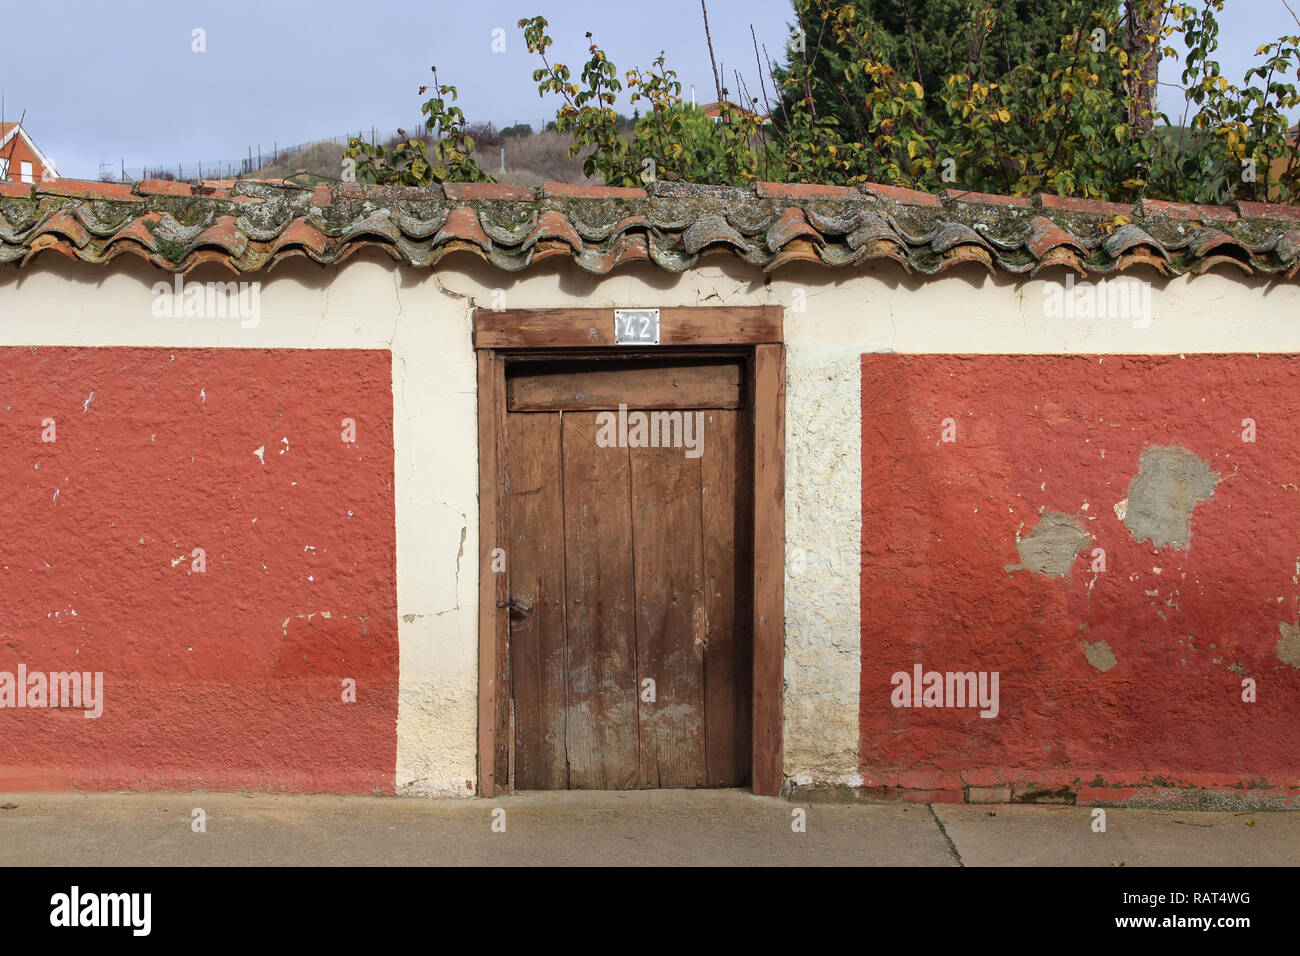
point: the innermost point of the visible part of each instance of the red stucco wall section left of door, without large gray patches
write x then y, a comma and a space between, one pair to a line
231, 678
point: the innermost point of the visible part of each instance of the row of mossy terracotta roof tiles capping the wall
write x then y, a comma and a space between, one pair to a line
253, 226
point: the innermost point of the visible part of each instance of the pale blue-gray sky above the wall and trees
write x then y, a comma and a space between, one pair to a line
102, 83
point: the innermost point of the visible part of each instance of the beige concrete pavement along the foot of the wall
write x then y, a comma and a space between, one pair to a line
649, 828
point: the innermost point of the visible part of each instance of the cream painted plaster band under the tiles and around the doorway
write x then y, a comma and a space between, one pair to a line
831, 319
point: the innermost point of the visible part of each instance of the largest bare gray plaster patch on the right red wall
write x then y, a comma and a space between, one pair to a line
1169, 483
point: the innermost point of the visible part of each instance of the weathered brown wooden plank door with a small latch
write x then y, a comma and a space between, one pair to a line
630, 651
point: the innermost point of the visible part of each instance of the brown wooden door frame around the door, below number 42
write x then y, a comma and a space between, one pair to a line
756, 332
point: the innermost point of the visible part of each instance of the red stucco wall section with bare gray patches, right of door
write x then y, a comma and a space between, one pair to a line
1065, 435
